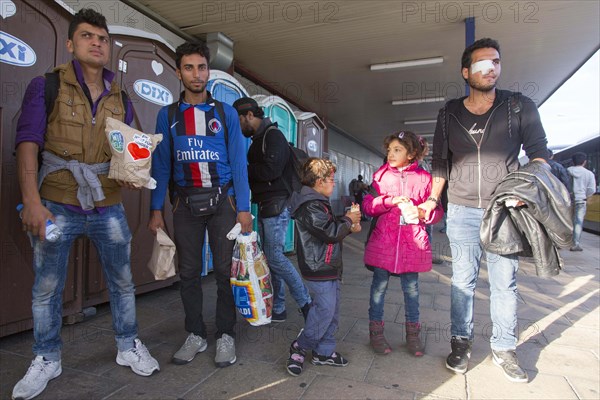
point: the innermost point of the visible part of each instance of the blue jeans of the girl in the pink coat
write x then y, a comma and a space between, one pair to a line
410, 288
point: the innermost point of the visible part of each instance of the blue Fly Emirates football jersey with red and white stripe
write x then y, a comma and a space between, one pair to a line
194, 150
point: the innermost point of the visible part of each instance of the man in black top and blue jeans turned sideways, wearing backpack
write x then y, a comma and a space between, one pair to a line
269, 175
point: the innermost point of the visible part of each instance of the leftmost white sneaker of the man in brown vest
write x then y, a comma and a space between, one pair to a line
38, 375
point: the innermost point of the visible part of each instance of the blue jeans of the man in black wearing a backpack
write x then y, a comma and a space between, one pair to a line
272, 236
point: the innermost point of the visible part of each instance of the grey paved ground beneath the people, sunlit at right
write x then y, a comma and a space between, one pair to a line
559, 323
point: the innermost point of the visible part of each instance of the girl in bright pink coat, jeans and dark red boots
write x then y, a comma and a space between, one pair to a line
399, 244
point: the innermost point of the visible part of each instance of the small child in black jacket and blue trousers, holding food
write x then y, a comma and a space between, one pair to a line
320, 234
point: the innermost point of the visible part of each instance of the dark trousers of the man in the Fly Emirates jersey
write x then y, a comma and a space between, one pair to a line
189, 237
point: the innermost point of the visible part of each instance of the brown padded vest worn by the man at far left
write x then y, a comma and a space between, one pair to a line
73, 133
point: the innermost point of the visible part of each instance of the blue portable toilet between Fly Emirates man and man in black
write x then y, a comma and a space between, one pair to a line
226, 89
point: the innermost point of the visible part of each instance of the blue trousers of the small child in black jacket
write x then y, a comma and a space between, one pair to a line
322, 322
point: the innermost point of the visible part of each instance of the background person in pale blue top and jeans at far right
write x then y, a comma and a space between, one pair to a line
584, 185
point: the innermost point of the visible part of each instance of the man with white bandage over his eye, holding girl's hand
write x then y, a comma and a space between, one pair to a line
476, 143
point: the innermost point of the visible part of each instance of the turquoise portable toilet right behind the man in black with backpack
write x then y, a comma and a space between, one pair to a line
279, 111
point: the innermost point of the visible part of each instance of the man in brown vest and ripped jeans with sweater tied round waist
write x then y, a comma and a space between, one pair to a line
73, 190
